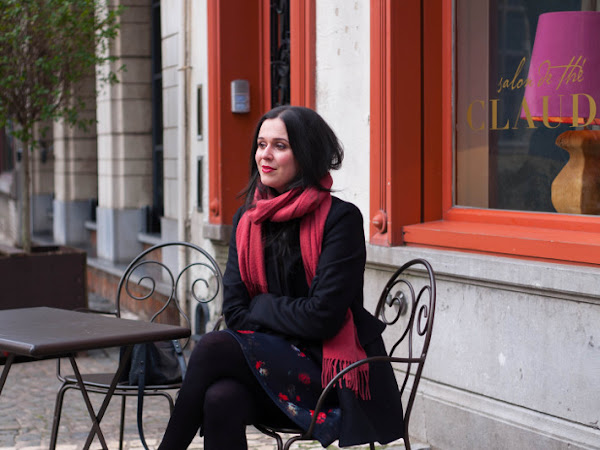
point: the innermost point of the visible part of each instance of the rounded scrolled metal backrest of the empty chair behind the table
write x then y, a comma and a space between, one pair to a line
159, 282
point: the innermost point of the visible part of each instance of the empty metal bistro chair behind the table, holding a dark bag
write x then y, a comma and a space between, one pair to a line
151, 285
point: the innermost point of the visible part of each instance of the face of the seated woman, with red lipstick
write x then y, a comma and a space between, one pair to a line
274, 157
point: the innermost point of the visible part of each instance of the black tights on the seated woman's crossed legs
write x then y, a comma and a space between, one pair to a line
221, 394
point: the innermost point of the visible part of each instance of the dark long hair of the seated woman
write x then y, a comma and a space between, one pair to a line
314, 145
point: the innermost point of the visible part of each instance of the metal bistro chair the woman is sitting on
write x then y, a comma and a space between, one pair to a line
412, 310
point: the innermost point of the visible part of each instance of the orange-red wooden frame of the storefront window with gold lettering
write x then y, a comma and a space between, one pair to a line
407, 182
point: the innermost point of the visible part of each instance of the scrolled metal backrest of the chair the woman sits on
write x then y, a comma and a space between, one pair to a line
407, 306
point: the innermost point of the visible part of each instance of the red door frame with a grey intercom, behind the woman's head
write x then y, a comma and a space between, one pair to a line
238, 48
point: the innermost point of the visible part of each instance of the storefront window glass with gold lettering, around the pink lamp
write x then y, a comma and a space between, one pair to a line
501, 161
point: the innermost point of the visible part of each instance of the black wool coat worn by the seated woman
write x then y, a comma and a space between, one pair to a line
307, 316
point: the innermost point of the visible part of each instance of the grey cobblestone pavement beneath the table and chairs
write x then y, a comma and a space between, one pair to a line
27, 409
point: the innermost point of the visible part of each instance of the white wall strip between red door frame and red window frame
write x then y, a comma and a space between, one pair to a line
342, 91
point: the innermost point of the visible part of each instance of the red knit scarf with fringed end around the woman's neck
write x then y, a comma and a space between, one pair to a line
312, 205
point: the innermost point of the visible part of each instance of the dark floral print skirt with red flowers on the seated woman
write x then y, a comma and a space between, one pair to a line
292, 380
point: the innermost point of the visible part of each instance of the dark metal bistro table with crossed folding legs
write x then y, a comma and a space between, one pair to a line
50, 332
